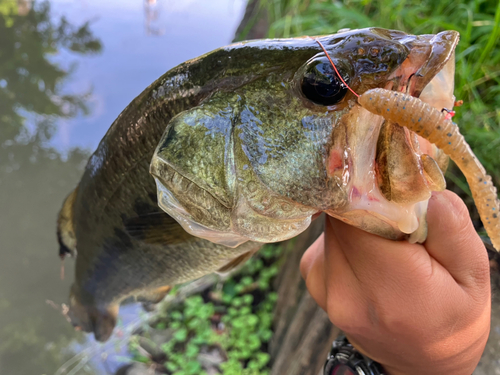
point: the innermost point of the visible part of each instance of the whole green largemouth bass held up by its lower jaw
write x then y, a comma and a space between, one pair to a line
242, 146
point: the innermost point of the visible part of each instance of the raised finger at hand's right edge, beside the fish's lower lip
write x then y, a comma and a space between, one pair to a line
453, 241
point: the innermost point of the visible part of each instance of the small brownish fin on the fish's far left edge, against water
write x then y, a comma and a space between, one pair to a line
65, 229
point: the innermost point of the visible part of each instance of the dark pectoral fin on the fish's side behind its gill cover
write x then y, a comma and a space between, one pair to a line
156, 228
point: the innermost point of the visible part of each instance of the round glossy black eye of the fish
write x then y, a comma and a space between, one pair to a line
320, 83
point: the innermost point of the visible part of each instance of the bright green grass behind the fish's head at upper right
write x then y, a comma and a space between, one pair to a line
477, 79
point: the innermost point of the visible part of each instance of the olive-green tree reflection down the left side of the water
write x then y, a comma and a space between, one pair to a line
33, 179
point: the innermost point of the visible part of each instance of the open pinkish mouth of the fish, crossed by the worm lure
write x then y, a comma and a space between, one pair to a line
390, 191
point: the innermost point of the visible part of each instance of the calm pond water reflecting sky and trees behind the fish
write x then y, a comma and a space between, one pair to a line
60, 89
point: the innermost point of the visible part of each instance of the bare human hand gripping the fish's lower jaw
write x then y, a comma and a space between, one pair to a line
413, 308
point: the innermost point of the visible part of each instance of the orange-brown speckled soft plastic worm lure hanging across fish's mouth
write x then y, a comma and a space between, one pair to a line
437, 128
